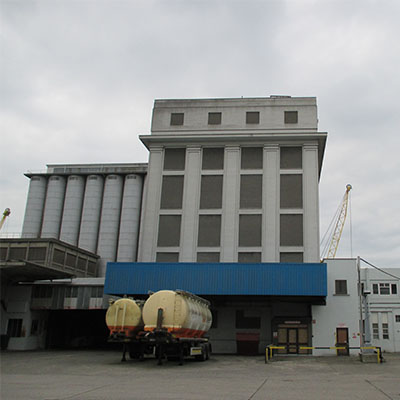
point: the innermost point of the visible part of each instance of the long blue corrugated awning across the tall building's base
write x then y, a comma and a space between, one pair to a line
274, 279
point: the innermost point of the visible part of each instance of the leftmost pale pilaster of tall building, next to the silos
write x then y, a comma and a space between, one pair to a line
148, 242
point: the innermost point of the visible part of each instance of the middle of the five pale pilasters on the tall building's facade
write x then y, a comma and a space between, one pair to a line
230, 216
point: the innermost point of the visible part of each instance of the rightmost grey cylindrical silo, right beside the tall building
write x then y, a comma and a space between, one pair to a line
130, 217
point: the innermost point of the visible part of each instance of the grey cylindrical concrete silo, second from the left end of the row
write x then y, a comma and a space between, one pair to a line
53, 207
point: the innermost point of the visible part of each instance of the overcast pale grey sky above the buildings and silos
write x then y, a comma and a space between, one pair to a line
78, 81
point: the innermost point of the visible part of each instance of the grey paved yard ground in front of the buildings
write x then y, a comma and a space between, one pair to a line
84, 374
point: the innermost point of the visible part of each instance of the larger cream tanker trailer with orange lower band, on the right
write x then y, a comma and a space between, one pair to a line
176, 322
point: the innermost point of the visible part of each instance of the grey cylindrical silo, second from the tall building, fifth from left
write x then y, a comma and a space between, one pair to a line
109, 221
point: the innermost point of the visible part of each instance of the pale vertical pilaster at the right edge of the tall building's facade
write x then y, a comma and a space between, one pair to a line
311, 203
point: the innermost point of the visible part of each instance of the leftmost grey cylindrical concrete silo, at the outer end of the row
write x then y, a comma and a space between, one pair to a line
34, 207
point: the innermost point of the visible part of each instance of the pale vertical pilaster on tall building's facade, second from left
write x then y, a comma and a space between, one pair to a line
190, 209
